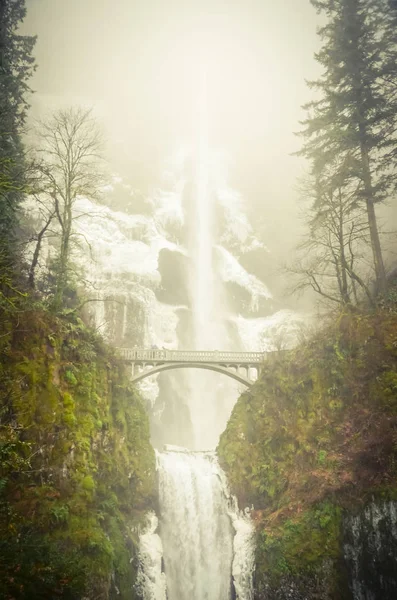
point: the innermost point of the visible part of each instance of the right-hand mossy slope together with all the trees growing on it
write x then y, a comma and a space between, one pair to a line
316, 436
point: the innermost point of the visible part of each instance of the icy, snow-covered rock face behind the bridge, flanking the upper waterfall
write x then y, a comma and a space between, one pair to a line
137, 260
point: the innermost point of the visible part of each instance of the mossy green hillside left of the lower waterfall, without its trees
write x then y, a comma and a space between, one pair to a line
77, 466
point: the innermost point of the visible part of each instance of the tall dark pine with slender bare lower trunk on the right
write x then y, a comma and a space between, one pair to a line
355, 113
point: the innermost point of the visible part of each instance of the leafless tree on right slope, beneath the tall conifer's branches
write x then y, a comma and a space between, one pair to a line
332, 258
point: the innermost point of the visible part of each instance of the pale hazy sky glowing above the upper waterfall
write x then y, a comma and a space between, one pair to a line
138, 63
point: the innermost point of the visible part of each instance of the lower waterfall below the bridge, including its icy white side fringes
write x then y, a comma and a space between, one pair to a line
207, 544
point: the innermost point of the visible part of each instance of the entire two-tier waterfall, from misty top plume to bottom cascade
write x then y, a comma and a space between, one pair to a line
207, 544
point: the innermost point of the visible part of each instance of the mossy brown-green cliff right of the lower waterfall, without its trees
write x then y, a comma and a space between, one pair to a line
313, 446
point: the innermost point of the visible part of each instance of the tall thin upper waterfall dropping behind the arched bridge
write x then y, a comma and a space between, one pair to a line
210, 398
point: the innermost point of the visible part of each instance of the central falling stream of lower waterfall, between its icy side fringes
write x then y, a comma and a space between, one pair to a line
195, 528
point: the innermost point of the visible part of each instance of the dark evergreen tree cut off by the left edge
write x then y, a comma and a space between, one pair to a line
16, 67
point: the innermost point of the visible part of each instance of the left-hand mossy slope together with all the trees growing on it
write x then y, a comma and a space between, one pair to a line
76, 464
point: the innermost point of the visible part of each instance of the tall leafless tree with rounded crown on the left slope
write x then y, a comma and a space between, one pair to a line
70, 145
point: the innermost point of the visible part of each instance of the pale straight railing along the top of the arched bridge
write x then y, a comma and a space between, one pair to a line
137, 354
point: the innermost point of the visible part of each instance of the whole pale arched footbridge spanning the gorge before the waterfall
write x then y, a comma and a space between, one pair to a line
237, 365
